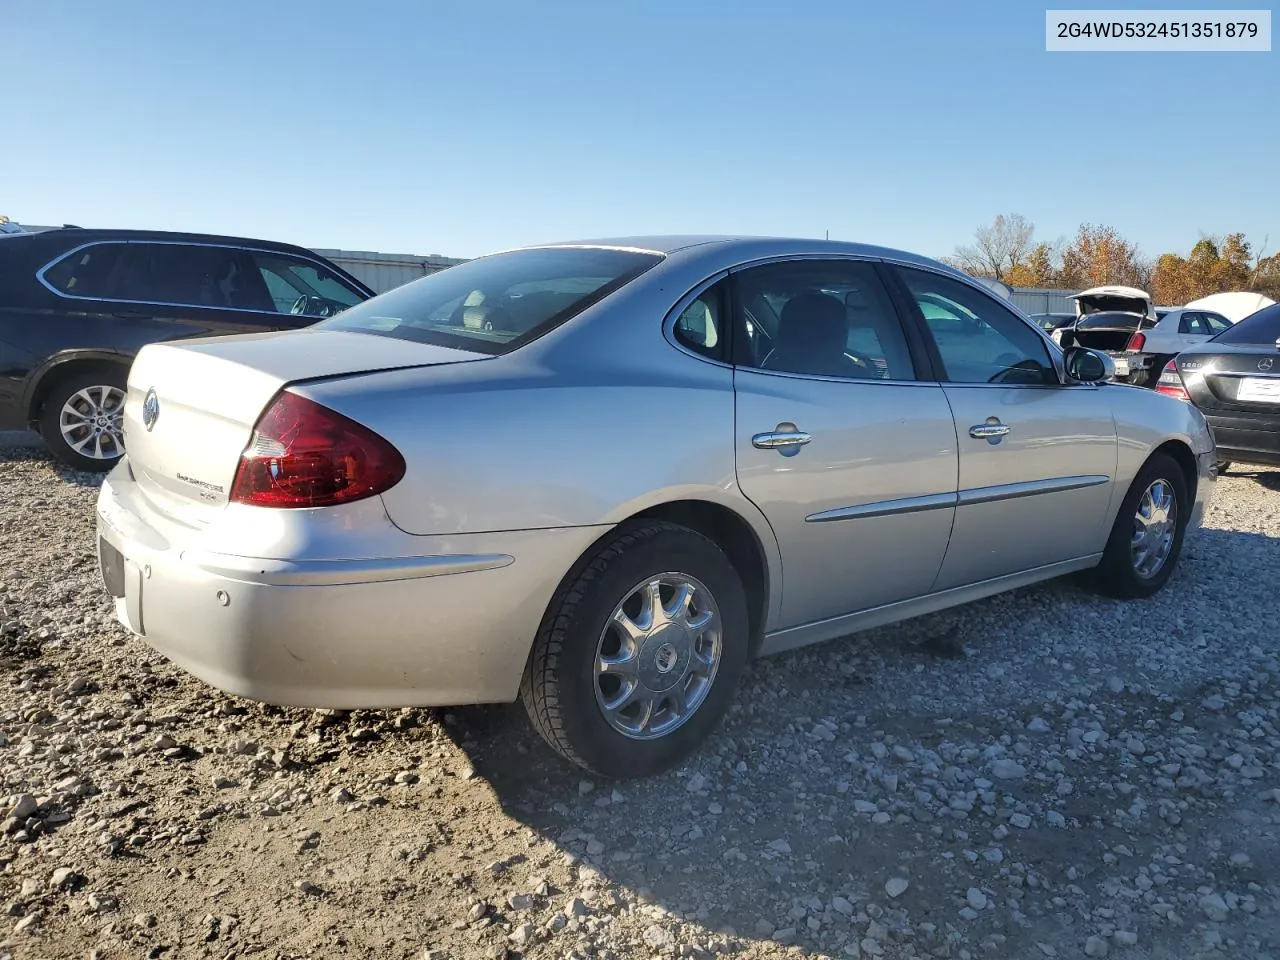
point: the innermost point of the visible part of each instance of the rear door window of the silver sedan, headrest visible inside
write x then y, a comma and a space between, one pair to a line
821, 318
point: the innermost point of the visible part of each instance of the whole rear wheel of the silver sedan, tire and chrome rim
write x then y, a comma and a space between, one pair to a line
638, 657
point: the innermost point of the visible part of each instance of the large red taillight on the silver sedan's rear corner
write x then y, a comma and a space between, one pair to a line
304, 455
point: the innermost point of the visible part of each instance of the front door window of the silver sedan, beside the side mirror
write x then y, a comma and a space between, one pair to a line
980, 340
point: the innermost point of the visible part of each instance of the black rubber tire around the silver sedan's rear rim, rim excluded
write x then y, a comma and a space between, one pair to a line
560, 684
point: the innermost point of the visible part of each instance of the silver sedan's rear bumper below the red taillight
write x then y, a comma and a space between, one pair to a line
428, 621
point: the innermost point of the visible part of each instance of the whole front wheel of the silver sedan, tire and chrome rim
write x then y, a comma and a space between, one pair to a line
1148, 538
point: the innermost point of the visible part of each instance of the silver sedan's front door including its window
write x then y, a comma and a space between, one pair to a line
1037, 455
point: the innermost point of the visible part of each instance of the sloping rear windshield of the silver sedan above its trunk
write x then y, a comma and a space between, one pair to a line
496, 304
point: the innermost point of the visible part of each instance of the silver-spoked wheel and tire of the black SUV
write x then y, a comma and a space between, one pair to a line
83, 419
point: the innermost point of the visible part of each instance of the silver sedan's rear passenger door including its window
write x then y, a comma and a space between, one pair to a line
849, 456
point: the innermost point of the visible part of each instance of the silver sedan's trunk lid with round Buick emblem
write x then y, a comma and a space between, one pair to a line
204, 397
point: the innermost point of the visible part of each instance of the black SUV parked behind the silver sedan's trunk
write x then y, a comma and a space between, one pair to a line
77, 305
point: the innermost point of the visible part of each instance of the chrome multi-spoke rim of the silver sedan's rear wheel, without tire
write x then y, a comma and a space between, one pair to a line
657, 657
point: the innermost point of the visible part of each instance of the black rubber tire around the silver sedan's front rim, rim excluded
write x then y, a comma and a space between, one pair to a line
1117, 575
